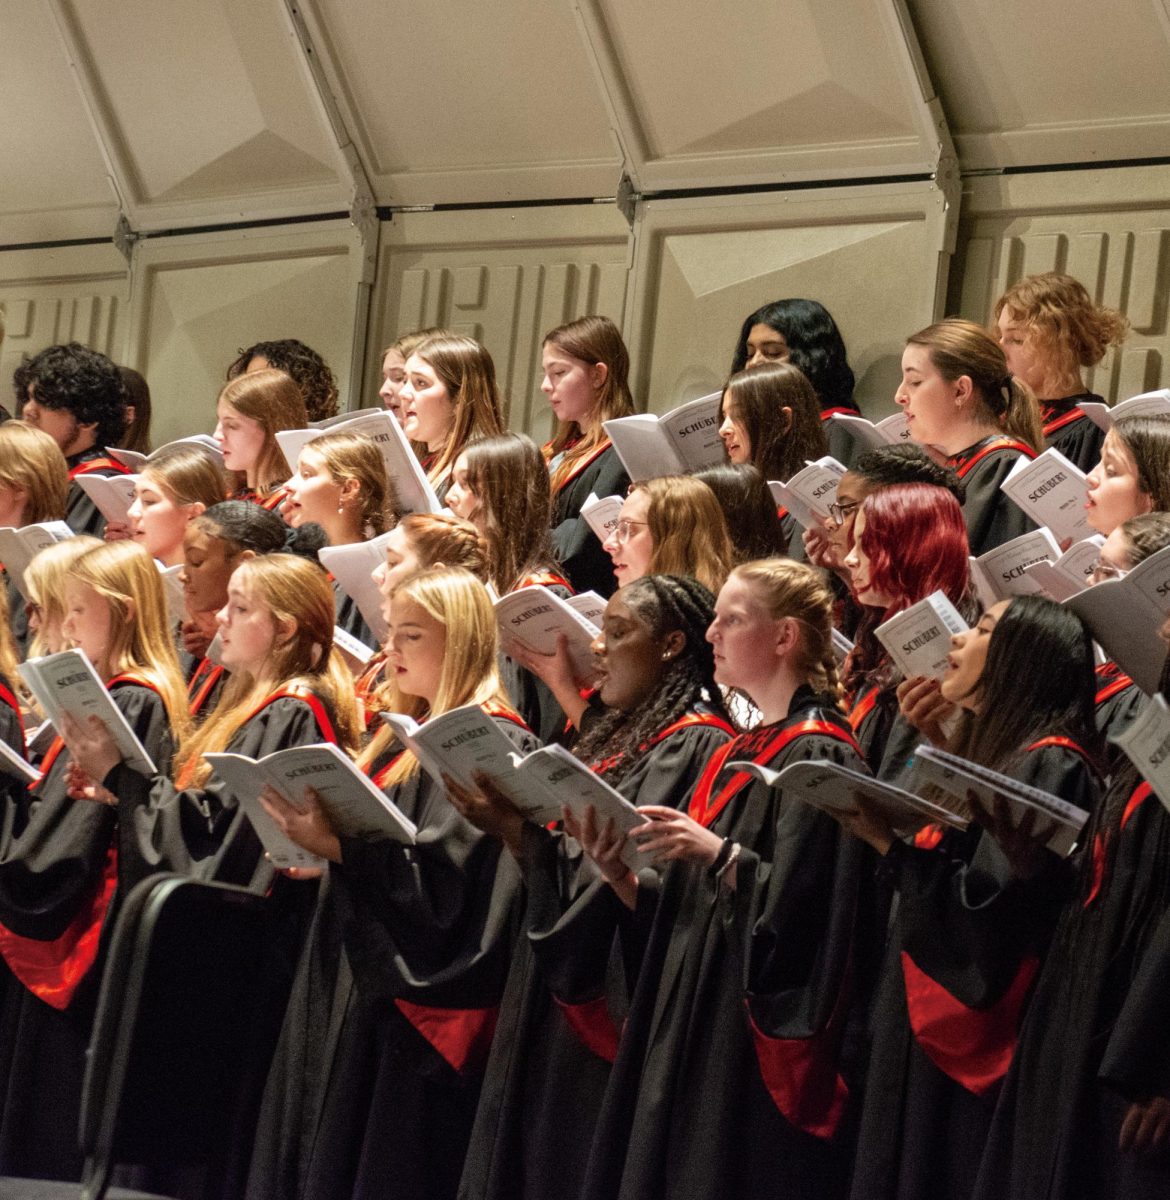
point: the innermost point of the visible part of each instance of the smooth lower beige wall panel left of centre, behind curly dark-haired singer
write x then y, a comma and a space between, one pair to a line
199, 301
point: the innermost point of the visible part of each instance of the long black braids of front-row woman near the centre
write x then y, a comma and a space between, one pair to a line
667, 603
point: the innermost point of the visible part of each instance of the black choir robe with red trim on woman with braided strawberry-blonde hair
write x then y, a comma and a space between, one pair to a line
728, 1079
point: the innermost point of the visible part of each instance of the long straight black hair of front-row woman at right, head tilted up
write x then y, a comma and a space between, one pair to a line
1054, 695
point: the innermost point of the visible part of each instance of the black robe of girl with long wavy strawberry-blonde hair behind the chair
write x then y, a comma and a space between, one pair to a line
203, 832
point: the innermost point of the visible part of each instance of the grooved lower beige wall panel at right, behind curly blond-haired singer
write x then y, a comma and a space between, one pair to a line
1111, 230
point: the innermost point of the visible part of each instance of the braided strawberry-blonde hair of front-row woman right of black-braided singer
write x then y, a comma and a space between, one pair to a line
799, 592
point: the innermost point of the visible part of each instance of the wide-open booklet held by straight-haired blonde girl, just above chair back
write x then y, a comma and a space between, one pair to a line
356, 807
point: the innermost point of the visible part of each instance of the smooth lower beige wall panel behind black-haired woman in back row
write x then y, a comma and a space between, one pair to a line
874, 257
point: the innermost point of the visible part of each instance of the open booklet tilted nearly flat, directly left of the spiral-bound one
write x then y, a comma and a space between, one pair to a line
836, 790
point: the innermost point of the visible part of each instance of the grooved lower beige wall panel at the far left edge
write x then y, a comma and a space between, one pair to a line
65, 295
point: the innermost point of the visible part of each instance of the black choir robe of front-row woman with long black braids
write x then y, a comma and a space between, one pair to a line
567, 997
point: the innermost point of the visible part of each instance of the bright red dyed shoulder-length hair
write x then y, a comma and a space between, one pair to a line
916, 542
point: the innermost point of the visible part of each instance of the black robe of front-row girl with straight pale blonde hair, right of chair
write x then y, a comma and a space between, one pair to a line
395, 1001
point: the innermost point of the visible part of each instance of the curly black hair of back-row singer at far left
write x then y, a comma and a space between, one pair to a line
80, 381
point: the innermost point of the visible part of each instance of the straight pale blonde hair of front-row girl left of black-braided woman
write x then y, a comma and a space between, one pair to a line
460, 603
